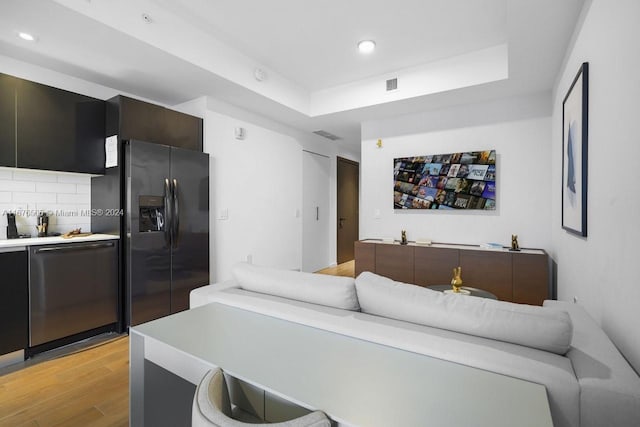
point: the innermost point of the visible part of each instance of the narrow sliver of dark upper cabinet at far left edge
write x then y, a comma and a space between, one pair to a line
7, 120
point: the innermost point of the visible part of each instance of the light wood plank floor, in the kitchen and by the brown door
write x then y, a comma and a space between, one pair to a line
87, 388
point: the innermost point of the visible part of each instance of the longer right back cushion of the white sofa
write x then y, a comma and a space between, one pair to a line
531, 326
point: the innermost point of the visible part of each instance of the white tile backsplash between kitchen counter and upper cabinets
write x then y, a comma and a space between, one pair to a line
65, 197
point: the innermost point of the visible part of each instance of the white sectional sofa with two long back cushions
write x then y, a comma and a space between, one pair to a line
588, 382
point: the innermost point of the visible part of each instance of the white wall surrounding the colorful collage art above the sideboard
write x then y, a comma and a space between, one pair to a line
519, 131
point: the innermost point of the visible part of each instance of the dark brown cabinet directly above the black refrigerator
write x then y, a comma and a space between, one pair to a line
133, 119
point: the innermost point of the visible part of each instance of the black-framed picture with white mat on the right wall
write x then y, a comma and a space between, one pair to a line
575, 127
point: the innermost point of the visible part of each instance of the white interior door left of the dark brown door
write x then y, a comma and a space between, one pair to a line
316, 172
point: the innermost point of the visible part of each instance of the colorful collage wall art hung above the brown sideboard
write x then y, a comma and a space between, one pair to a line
446, 181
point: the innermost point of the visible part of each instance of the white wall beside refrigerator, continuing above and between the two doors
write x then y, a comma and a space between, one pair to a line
258, 181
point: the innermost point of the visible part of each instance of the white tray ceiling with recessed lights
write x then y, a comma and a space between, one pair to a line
197, 48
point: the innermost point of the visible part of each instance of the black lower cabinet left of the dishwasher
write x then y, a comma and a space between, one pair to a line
14, 301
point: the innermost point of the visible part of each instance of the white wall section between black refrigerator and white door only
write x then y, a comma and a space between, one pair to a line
255, 181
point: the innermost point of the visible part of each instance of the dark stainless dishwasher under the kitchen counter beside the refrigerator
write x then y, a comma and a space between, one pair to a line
73, 288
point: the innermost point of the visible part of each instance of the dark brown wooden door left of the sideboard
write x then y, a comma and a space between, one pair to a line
348, 208
